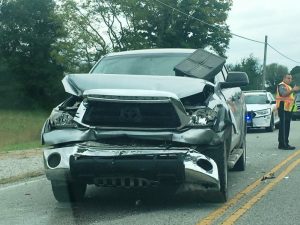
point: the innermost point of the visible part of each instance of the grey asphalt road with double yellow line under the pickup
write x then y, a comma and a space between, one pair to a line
266, 193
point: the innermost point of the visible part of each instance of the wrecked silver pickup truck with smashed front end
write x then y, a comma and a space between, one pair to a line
148, 118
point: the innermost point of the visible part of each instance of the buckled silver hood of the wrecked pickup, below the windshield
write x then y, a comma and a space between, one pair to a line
76, 84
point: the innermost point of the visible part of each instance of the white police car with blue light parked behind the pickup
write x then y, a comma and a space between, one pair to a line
261, 110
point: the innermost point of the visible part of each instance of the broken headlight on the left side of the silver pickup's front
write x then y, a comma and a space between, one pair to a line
62, 119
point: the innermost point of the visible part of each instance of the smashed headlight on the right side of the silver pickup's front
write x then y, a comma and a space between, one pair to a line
204, 116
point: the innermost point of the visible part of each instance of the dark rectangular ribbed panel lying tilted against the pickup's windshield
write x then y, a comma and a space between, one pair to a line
200, 64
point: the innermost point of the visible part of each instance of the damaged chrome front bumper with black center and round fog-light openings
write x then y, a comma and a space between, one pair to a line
132, 166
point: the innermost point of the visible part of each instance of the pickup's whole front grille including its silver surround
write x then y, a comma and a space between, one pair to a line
131, 108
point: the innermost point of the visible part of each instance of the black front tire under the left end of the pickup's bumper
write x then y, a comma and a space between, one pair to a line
68, 191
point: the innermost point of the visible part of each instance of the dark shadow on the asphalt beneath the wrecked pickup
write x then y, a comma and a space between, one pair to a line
105, 204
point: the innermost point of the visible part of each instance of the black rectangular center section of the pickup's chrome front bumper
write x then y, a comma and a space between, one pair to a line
128, 171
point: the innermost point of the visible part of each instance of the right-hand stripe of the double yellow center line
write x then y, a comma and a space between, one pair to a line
237, 214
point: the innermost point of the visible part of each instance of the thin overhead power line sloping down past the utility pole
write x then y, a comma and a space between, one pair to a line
233, 34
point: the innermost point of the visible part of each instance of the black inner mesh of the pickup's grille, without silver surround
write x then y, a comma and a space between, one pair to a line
141, 115
